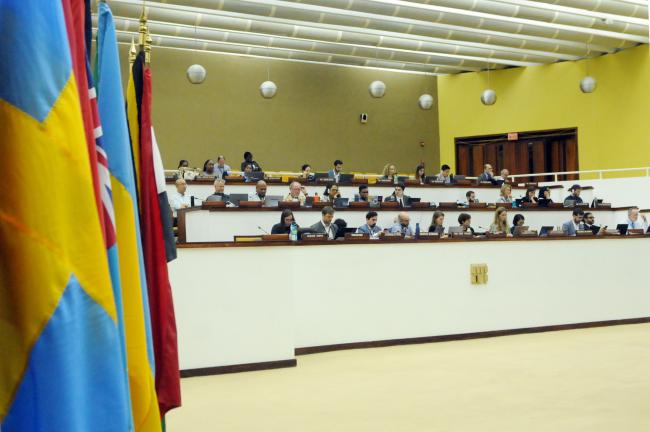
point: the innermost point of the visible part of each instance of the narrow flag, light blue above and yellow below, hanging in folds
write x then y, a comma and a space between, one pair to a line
116, 143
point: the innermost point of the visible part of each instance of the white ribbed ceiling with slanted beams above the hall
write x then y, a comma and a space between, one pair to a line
417, 36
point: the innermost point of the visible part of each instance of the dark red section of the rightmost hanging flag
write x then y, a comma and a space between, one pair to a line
161, 306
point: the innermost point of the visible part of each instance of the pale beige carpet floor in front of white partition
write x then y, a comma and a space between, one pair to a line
579, 380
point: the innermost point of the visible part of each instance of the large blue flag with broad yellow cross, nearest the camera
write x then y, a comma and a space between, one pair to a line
62, 368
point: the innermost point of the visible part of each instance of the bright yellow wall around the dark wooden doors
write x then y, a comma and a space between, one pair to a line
613, 122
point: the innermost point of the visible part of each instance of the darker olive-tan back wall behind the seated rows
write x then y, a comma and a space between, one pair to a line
314, 118
